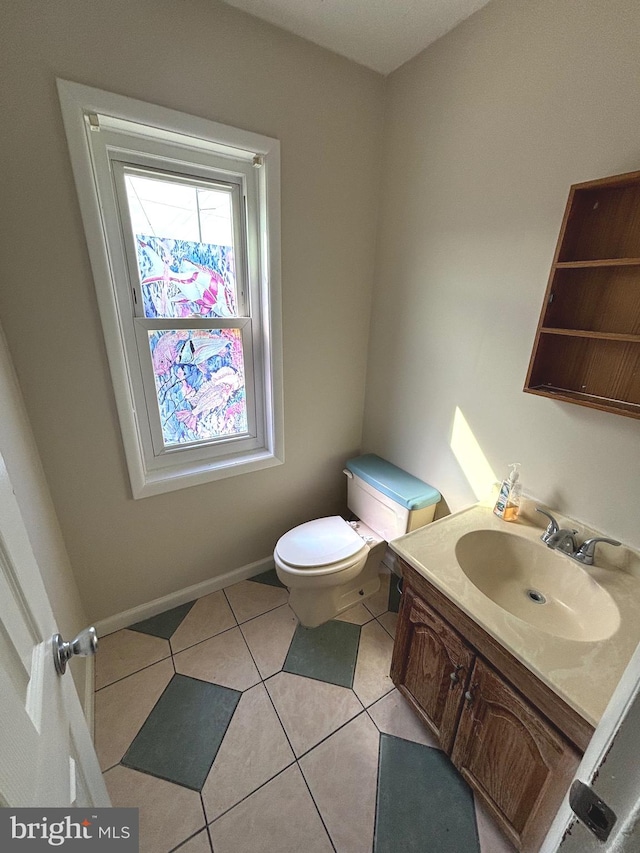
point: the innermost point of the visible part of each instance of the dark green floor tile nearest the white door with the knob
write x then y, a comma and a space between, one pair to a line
181, 736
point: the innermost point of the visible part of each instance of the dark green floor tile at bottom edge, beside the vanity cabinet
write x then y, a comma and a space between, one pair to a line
423, 802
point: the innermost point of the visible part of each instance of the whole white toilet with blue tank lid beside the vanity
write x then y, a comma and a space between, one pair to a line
330, 564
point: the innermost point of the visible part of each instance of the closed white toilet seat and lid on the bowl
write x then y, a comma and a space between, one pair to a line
321, 546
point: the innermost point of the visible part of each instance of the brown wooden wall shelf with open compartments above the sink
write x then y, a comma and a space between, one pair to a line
587, 345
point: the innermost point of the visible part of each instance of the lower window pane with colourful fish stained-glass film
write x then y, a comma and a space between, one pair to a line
199, 377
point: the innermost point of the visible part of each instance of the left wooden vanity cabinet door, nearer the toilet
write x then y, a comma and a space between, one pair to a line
431, 666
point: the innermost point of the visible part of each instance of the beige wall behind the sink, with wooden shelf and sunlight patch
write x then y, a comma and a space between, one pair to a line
484, 133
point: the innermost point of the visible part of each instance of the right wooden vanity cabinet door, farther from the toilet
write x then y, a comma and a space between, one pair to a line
516, 761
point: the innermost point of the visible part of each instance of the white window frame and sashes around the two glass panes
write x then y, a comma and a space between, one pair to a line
105, 131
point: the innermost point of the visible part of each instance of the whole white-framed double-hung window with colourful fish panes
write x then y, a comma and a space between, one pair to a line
182, 223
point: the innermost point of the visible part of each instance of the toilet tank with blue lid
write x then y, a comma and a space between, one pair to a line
386, 498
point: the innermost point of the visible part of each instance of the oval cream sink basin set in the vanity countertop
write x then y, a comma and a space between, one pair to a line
540, 586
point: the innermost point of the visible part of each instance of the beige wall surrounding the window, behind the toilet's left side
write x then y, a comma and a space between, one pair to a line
207, 59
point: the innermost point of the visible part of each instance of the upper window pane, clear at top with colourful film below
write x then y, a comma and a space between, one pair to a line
184, 247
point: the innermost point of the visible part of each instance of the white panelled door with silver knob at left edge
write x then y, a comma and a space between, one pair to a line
46, 754
